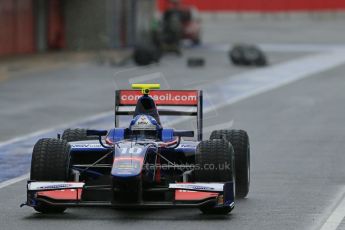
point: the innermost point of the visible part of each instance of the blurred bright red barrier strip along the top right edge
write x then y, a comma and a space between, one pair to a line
260, 5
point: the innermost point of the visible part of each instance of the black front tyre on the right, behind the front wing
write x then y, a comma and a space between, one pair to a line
218, 153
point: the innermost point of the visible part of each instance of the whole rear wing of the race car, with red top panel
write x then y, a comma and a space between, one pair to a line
169, 102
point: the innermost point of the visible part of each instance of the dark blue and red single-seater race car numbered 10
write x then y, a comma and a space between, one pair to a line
144, 163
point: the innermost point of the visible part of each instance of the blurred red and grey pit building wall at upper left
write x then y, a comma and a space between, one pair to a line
31, 26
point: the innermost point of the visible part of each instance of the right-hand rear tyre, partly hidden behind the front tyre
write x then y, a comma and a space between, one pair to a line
240, 141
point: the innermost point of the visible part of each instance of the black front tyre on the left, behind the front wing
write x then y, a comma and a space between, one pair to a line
50, 162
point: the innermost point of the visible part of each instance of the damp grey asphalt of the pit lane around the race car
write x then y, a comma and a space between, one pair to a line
296, 133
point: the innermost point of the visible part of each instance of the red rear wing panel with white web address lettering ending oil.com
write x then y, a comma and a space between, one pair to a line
161, 97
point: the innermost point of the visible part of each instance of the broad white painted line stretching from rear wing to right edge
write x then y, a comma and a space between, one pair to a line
259, 81
